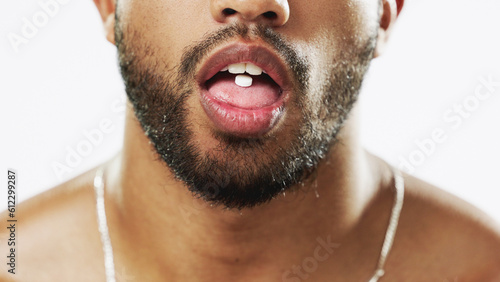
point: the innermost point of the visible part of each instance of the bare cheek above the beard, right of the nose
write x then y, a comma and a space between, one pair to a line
331, 32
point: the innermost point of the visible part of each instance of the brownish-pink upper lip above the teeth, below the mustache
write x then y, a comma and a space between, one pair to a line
258, 55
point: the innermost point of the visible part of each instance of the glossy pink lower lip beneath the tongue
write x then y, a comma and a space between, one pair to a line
242, 122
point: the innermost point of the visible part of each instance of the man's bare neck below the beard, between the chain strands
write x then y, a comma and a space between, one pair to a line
152, 212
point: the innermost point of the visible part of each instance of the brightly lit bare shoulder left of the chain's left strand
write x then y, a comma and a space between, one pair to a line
55, 233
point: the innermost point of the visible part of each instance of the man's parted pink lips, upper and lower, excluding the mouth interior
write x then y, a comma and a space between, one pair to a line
238, 121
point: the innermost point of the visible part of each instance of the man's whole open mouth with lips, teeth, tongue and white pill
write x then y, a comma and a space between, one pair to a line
243, 90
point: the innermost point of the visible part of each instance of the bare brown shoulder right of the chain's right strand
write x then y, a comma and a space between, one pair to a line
445, 235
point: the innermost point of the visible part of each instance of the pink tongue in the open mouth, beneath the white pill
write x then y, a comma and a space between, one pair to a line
263, 92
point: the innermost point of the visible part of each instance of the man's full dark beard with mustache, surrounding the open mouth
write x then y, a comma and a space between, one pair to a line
239, 172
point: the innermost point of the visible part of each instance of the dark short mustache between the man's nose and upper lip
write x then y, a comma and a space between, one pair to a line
194, 54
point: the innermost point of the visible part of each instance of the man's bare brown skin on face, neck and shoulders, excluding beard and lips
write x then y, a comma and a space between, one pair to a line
160, 232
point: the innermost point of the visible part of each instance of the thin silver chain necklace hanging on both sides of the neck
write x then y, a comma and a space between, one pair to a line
109, 264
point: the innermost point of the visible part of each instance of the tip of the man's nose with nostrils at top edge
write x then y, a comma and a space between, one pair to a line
272, 12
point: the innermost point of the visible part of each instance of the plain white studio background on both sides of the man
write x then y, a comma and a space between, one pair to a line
61, 91
